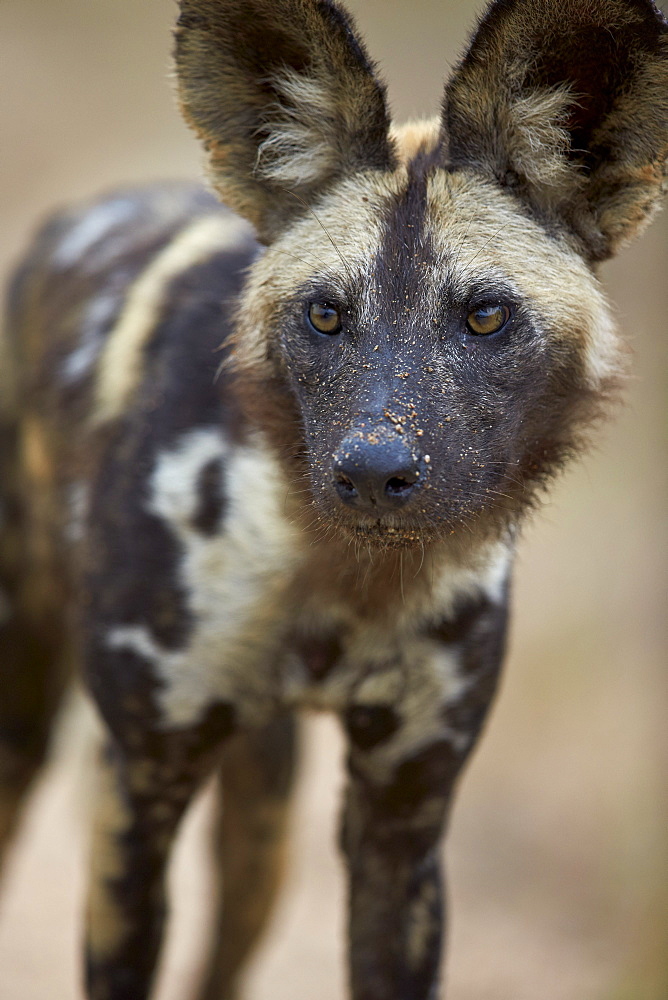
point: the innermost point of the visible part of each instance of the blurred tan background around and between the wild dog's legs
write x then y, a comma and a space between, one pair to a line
558, 873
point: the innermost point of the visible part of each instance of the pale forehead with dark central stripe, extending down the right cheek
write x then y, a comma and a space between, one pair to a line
399, 246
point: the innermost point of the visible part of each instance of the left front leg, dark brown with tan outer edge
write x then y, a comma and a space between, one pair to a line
144, 787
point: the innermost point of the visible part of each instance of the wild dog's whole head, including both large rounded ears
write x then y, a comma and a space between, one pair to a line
424, 333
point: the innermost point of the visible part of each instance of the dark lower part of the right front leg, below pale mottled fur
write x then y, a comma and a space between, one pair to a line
391, 836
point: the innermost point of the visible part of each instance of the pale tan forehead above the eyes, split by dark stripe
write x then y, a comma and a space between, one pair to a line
429, 228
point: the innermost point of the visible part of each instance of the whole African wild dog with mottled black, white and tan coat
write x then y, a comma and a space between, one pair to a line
323, 513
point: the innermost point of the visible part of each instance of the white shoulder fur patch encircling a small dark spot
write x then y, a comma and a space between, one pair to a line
236, 582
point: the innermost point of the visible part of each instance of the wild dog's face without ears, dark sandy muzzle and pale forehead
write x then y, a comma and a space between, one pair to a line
441, 348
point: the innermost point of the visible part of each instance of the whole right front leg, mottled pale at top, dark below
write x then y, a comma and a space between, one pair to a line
406, 752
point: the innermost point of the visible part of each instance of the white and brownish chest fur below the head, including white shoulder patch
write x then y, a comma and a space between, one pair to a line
269, 623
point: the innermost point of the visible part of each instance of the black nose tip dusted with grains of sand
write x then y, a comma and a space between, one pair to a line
375, 473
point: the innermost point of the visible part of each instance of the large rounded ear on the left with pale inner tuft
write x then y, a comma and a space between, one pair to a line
285, 99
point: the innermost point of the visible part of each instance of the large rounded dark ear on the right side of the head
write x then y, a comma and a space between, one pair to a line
566, 101
